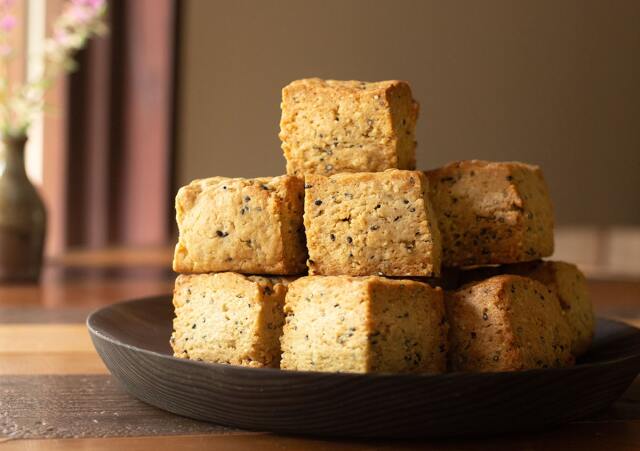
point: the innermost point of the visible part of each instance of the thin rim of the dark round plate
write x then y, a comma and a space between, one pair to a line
345, 375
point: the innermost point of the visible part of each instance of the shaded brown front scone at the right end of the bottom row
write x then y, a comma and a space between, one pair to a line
506, 323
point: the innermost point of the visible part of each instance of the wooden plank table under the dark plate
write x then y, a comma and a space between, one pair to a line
55, 393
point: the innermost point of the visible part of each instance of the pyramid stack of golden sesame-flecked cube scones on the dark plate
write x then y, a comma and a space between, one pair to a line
373, 234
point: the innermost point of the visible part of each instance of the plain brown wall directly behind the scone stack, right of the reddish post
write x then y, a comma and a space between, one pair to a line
555, 83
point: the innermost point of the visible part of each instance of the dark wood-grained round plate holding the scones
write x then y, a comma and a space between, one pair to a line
133, 340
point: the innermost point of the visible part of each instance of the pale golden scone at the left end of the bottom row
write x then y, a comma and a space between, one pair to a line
229, 318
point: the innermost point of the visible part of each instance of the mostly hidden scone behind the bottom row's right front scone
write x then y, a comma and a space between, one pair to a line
567, 282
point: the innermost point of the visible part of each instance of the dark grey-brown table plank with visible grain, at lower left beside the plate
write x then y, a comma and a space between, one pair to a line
72, 406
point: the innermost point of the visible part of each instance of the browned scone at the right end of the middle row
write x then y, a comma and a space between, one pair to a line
492, 213
